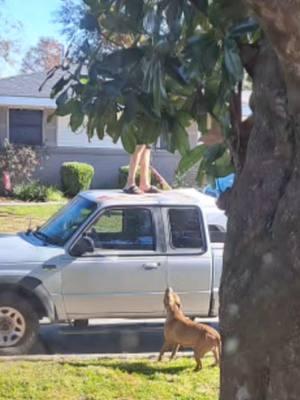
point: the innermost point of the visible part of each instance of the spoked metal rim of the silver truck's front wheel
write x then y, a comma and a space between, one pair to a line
12, 326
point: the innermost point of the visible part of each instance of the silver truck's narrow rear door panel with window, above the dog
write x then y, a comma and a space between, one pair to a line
189, 261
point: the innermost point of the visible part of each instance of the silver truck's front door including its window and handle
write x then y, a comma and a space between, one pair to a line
126, 275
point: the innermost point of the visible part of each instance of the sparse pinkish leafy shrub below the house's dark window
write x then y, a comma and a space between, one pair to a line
19, 161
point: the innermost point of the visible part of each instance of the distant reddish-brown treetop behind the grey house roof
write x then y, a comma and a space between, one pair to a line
43, 57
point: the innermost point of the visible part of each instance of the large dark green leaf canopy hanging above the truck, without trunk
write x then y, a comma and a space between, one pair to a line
154, 63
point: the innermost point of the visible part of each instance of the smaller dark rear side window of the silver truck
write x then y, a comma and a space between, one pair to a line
185, 227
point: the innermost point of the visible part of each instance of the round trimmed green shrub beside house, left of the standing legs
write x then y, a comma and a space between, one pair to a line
76, 177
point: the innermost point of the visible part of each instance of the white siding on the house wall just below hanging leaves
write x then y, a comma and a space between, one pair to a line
67, 138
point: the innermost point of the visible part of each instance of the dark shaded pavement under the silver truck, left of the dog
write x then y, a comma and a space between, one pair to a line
104, 336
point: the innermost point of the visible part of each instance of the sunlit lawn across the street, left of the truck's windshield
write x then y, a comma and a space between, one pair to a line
17, 218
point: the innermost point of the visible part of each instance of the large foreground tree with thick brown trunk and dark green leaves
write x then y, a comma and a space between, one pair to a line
158, 66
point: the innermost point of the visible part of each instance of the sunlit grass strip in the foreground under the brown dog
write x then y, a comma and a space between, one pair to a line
107, 380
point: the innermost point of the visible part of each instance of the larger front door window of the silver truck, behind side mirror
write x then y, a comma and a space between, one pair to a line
124, 229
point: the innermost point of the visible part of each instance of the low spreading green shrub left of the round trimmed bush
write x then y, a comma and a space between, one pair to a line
35, 191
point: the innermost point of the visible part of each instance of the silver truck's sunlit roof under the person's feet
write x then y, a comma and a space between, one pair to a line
177, 196
